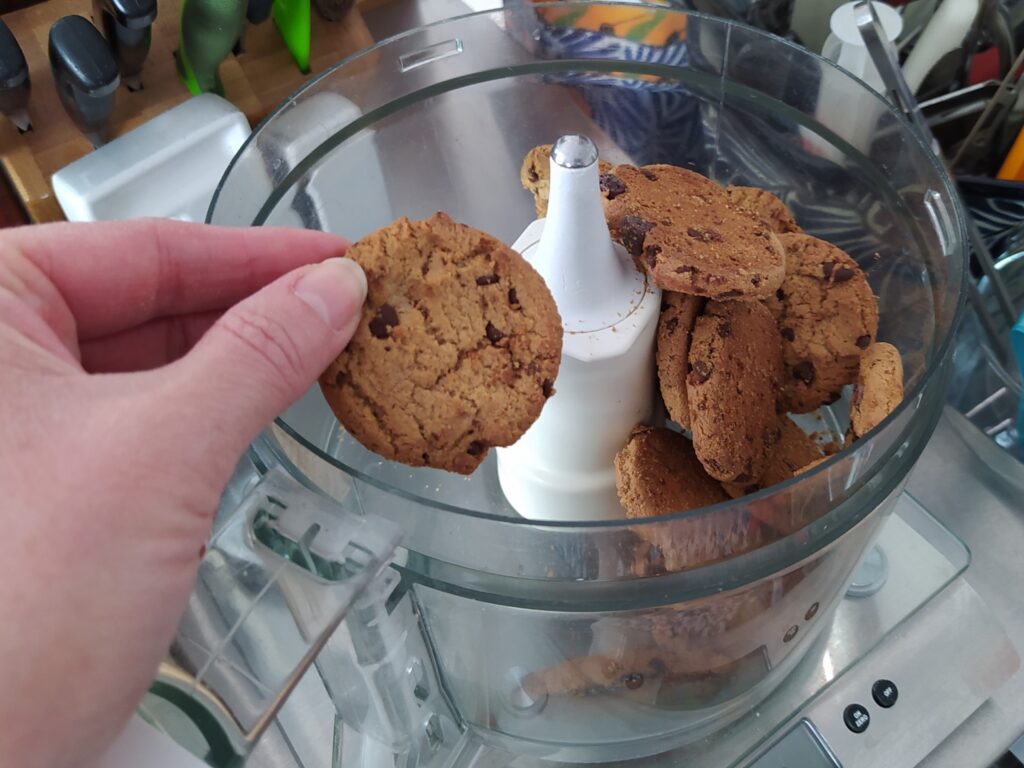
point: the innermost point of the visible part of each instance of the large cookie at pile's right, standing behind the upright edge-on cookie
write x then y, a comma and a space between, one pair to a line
828, 317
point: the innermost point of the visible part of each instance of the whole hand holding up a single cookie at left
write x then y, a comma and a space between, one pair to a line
138, 361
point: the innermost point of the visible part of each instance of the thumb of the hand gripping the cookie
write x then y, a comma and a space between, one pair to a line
266, 352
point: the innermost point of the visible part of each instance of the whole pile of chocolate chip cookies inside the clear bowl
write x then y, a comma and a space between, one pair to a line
759, 321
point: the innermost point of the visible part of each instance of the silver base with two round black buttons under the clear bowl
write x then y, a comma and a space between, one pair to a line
909, 635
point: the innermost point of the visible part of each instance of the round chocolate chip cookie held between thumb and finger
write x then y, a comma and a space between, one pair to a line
457, 351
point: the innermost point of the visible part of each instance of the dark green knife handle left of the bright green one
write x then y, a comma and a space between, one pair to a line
209, 31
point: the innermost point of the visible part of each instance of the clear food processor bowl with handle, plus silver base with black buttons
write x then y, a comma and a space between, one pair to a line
351, 611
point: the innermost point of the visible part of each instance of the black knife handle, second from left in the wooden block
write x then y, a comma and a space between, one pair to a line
86, 74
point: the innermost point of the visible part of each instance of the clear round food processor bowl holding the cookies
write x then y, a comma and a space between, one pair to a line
613, 641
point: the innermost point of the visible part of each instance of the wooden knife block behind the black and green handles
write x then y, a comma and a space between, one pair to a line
257, 81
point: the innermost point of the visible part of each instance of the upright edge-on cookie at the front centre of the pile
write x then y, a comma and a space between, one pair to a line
733, 389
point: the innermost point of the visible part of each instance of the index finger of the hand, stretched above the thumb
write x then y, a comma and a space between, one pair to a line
117, 275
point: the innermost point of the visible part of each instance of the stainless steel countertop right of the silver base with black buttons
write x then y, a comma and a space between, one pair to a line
985, 505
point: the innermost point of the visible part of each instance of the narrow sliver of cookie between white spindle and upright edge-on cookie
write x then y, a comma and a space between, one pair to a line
675, 325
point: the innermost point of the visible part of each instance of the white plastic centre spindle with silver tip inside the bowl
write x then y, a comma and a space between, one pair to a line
564, 467
